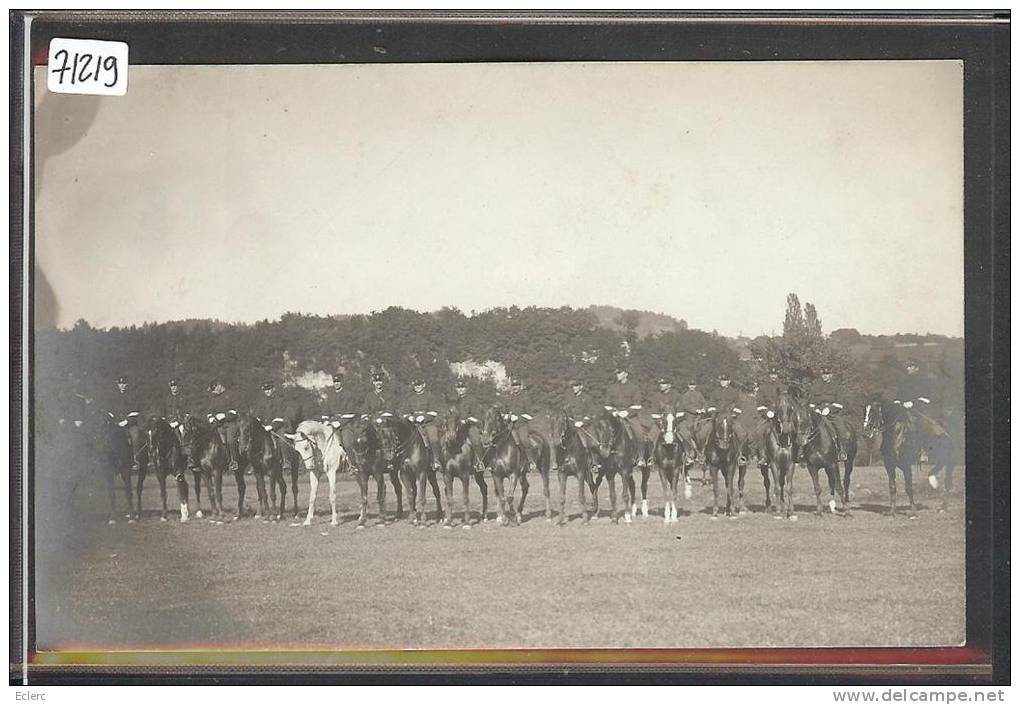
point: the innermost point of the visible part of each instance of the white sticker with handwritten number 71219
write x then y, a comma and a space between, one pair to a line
88, 67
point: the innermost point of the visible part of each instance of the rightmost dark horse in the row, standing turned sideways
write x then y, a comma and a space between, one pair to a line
896, 429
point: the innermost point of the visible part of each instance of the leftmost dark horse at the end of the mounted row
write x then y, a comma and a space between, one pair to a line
106, 448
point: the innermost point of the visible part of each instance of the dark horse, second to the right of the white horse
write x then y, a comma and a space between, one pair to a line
405, 449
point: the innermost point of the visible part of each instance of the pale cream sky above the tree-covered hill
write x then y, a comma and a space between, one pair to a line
704, 191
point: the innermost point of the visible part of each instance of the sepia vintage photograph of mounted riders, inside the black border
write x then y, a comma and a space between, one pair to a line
501, 357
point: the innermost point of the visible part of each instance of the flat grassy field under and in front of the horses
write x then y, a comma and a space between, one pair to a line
753, 581
